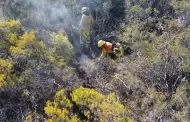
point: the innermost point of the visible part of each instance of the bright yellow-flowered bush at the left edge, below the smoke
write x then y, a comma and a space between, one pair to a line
20, 47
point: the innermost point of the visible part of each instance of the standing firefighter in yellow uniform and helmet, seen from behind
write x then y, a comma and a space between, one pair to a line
86, 25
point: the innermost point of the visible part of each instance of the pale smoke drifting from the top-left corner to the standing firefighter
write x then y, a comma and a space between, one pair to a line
38, 14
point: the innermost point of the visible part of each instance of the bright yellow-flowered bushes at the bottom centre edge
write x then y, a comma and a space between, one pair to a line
93, 105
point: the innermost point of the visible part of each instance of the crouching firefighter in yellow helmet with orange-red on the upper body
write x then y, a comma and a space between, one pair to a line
109, 49
